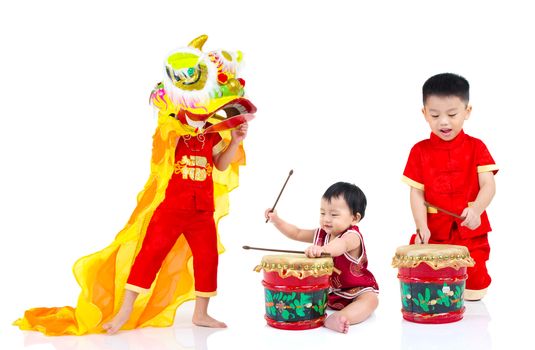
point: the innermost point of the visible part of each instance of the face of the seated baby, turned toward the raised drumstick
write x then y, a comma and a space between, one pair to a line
335, 216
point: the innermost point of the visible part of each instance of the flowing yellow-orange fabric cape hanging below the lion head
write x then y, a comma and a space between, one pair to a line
102, 275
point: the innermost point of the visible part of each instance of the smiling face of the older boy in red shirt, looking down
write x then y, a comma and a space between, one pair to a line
446, 115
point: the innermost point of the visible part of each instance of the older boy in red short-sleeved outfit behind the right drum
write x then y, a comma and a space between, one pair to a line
453, 171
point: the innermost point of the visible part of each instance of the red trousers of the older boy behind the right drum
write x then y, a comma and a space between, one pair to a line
478, 276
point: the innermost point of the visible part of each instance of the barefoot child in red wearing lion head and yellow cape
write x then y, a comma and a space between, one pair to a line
168, 251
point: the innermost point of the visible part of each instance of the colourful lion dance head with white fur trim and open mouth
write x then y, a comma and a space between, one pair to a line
198, 85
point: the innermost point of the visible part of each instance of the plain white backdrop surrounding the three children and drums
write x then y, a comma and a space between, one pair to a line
337, 86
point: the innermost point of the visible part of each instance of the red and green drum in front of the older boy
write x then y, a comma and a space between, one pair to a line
432, 279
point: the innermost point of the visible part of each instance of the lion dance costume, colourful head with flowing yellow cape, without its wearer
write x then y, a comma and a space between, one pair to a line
196, 87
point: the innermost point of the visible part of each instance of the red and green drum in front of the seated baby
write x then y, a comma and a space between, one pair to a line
295, 290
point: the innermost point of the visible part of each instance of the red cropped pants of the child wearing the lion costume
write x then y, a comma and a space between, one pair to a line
164, 229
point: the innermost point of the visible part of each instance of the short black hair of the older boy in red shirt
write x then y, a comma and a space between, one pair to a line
446, 84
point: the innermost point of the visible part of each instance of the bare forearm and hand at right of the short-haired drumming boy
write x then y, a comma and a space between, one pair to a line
487, 189
